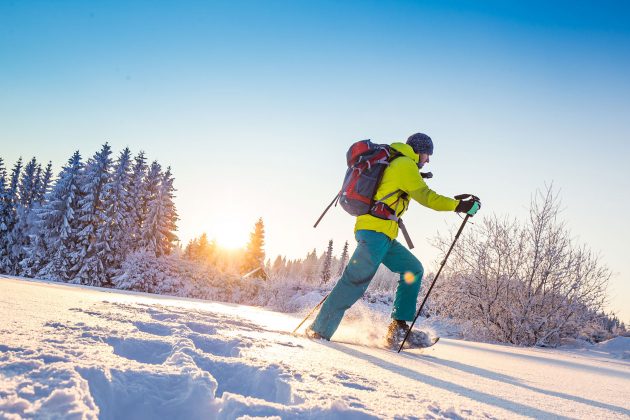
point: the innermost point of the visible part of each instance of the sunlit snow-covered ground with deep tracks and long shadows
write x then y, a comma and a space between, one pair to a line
83, 352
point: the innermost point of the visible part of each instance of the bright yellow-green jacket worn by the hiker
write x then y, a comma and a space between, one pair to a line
403, 175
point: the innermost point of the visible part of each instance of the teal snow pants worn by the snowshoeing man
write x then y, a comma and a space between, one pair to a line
373, 248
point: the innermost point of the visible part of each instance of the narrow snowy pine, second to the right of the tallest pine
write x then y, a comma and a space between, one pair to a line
137, 200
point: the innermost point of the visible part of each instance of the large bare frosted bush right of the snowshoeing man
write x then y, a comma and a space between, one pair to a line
522, 283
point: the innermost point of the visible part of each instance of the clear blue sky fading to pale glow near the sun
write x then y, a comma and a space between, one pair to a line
254, 103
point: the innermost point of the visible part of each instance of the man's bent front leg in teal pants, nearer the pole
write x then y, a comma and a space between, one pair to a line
400, 260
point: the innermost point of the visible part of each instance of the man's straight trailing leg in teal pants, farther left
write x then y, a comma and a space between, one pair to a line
371, 248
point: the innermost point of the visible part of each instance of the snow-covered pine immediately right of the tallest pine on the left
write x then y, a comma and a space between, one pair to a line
111, 245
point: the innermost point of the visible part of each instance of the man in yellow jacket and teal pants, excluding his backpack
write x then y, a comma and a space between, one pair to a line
377, 243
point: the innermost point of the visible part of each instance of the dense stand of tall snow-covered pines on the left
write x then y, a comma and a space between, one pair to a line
81, 226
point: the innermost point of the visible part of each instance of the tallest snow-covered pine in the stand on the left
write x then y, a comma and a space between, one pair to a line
88, 255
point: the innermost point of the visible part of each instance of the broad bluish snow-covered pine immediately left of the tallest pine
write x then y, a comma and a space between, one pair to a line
48, 255
